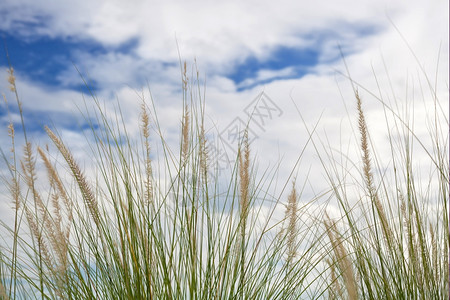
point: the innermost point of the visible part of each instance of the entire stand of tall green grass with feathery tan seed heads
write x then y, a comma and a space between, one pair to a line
140, 228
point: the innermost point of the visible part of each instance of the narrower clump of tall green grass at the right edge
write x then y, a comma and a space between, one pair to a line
389, 238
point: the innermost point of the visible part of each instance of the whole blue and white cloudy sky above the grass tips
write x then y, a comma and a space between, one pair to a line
285, 57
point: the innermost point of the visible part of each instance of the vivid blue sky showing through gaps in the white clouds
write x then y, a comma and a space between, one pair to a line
45, 59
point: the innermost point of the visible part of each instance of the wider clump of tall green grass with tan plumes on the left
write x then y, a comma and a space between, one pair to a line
125, 231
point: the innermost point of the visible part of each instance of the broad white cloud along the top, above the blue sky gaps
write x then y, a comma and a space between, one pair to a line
216, 33
